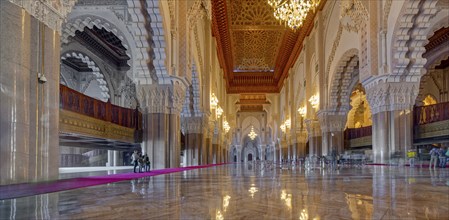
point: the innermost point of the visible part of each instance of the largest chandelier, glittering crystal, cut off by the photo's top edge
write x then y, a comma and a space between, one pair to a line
292, 12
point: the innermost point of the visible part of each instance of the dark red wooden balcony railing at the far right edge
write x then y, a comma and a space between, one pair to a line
431, 113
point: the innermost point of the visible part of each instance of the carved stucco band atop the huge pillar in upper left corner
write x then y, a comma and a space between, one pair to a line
50, 12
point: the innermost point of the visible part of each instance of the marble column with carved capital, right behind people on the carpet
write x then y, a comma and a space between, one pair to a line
162, 105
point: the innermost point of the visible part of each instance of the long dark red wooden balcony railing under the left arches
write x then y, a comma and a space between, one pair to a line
74, 101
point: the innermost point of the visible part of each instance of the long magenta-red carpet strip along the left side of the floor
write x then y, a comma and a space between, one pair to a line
31, 189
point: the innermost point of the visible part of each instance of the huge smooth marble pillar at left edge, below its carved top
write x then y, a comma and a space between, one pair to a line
29, 110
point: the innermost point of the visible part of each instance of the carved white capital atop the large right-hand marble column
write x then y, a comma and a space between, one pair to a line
386, 94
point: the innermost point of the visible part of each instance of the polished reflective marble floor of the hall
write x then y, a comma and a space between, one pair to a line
245, 191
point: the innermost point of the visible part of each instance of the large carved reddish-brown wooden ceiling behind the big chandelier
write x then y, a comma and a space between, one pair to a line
254, 49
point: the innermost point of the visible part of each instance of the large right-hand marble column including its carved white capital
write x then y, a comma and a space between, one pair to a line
391, 106
